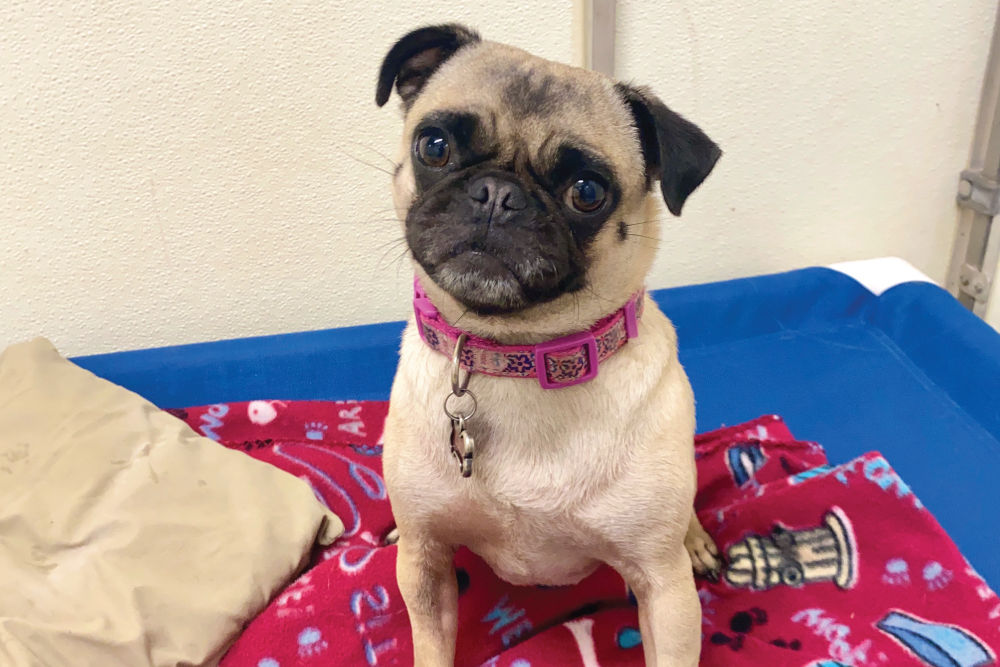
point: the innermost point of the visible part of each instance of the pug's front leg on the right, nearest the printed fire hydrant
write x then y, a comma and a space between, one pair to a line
669, 610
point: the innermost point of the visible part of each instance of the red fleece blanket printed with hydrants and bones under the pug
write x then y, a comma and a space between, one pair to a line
825, 566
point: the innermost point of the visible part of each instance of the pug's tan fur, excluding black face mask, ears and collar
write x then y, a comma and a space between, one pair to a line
564, 479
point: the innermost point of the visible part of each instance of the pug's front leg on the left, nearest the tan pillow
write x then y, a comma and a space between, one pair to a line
426, 576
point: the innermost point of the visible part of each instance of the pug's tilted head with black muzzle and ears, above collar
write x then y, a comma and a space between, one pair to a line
526, 182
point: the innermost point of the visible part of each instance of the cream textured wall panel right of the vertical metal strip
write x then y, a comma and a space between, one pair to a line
844, 126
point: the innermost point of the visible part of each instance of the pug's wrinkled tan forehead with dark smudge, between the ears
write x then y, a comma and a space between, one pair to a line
529, 108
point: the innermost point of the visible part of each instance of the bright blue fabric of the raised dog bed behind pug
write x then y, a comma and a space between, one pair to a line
910, 373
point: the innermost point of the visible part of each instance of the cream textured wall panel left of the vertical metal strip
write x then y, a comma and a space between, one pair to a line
178, 171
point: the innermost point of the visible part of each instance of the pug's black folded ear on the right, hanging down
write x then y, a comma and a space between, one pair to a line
675, 150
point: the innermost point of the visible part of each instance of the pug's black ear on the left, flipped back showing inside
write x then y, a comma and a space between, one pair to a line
411, 61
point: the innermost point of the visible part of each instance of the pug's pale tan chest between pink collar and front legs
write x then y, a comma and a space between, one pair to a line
552, 470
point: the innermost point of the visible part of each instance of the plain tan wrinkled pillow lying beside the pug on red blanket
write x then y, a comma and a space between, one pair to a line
125, 538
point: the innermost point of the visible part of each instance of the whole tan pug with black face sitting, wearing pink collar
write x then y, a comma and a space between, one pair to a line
531, 216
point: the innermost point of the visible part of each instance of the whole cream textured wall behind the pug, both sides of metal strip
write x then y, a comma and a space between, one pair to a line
175, 172
